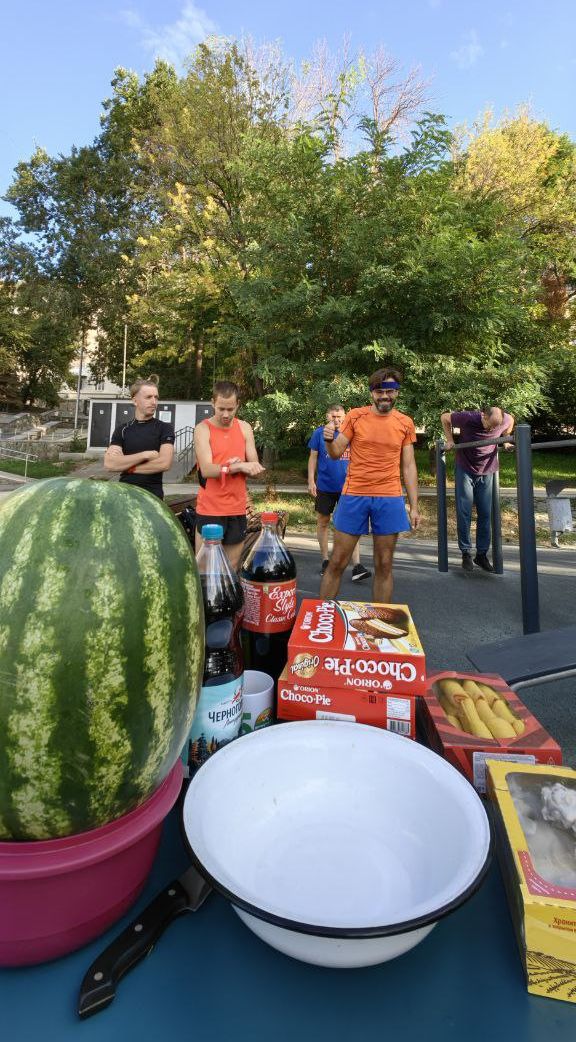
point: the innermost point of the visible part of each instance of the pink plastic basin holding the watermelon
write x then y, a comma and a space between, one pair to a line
57, 896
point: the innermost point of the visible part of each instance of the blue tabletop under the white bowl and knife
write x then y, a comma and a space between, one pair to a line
211, 979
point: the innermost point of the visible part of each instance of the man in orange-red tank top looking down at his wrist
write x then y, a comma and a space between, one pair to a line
227, 456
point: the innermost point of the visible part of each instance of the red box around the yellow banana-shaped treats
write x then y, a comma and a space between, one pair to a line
469, 753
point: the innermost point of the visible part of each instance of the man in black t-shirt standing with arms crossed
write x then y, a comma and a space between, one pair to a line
143, 450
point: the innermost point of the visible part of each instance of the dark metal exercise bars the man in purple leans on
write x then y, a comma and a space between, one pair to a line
527, 519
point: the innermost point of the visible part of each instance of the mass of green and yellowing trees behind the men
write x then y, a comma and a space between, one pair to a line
239, 241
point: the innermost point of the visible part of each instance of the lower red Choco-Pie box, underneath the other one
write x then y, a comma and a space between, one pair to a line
303, 701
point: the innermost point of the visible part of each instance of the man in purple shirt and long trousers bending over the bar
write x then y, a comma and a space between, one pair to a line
474, 476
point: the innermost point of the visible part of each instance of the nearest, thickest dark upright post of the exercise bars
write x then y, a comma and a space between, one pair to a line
527, 525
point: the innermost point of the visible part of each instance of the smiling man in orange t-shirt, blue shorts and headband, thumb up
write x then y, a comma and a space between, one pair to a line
382, 446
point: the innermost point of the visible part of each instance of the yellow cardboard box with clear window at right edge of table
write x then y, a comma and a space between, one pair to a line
537, 853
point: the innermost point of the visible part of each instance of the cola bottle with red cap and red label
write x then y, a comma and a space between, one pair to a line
269, 584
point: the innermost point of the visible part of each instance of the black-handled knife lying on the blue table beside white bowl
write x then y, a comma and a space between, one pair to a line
184, 895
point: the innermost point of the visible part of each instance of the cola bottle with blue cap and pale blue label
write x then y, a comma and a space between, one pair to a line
219, 712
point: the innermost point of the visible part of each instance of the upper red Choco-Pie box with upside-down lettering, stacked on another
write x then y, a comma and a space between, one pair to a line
357, 646
